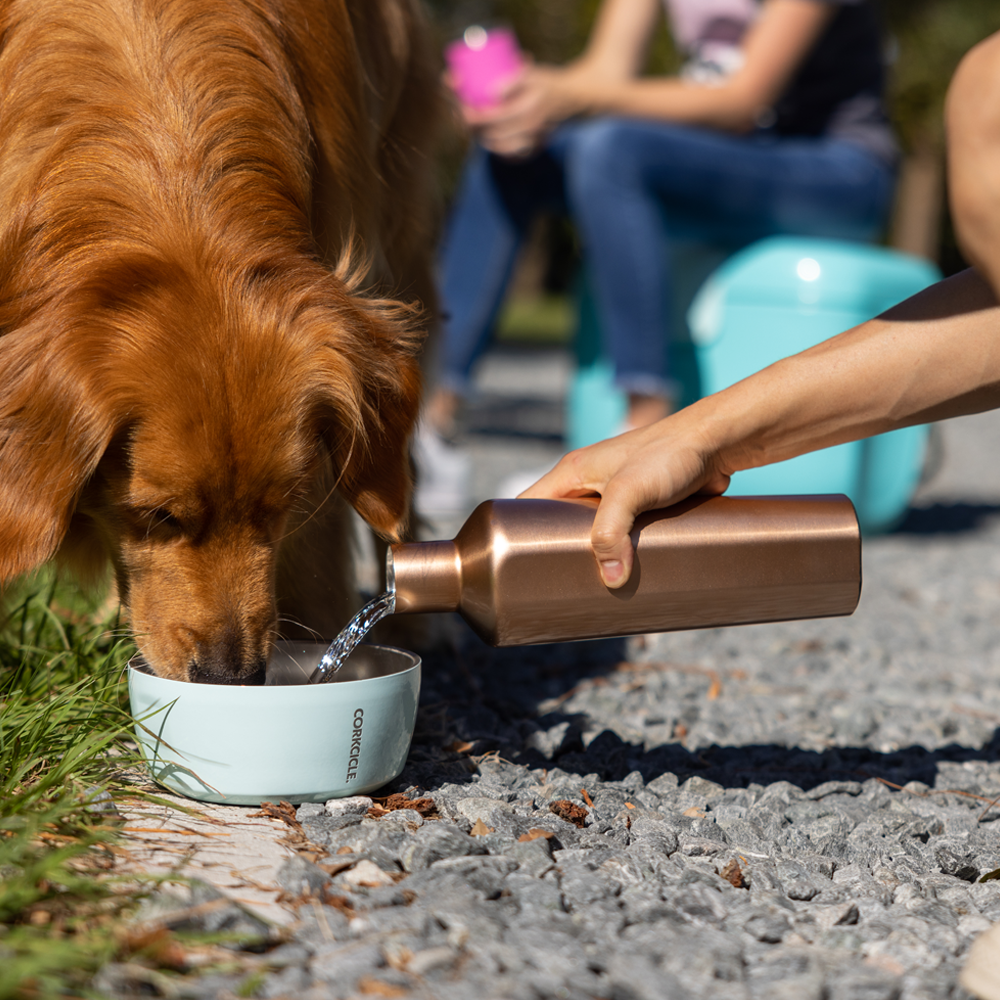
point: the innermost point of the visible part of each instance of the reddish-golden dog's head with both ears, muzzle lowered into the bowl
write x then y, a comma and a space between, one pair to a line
176, 428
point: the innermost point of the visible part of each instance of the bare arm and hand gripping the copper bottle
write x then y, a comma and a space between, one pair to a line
936, 355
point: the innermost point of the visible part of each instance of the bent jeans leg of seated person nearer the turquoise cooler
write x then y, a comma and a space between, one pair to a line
632, 185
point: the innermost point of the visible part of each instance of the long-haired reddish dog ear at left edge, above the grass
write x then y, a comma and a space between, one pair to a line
52, 436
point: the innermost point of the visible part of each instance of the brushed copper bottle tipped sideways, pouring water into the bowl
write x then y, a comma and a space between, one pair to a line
523, 571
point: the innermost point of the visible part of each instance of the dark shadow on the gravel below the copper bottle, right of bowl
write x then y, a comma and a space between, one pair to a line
480, 701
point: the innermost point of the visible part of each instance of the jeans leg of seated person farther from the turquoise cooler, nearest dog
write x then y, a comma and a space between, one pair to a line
497, 201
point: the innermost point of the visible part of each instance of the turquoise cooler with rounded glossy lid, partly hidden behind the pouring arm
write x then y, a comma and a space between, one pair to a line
779, 297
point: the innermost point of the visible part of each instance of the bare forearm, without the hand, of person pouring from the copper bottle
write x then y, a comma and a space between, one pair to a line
935, 356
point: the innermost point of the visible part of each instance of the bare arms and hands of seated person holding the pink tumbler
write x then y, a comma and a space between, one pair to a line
603, 81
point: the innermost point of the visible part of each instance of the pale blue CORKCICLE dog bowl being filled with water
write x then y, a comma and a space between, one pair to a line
287, 740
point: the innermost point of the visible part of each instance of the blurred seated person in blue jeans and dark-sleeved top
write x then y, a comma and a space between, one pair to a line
776, 125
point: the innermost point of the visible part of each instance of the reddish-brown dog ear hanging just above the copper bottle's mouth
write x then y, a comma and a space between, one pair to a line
371, 388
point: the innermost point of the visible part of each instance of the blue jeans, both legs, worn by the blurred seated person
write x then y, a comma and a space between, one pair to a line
630, 186
